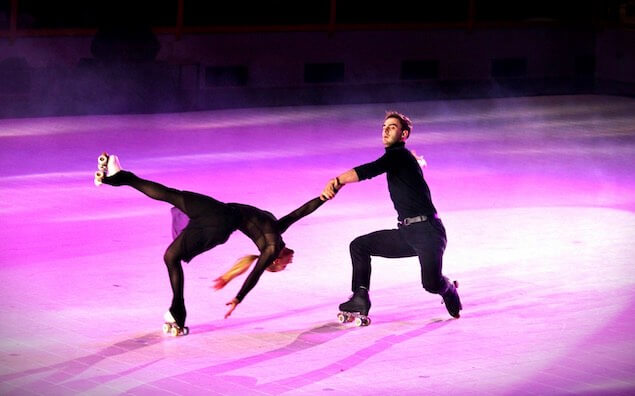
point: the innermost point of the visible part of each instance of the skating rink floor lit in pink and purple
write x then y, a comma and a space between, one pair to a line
537, 194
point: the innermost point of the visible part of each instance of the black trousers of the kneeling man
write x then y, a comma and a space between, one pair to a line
426, 239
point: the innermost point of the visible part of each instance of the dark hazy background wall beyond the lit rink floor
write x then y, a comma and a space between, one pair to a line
77, 57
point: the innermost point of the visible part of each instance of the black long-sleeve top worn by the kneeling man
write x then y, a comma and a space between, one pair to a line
409, 191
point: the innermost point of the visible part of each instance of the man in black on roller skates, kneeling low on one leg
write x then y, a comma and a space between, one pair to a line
419, 233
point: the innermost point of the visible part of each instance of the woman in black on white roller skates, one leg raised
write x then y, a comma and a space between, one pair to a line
209, 224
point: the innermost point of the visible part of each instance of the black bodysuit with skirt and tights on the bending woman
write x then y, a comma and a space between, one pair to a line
211, 222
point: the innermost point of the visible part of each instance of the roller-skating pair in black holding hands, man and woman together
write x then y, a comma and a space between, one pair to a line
201, 222
